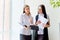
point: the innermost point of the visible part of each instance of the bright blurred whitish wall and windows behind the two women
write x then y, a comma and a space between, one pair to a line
10, 11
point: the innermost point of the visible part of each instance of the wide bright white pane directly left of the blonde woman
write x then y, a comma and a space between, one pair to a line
16, 7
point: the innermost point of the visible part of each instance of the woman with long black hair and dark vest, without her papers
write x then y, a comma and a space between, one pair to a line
42, 34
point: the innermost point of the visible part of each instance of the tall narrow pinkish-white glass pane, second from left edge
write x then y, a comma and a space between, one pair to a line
7, 15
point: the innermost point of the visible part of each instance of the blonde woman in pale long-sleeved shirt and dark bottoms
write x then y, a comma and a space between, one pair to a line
25, 21
